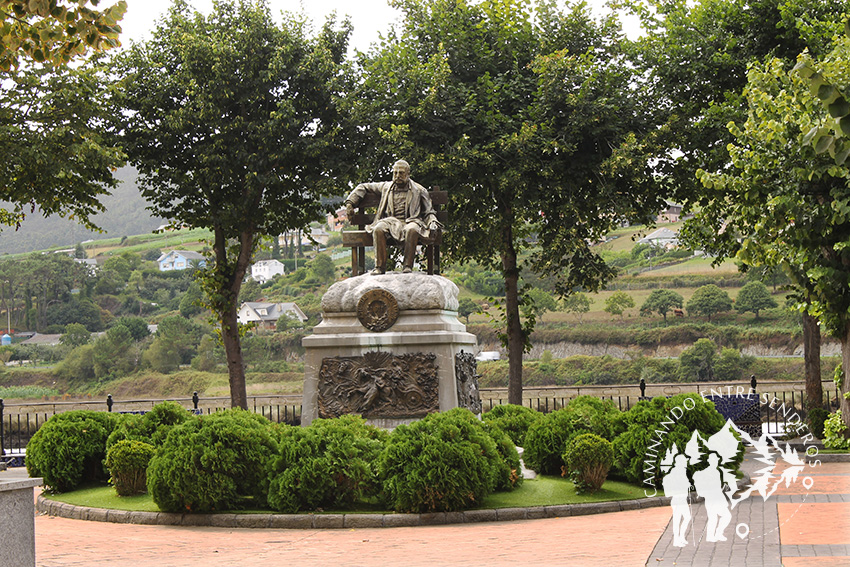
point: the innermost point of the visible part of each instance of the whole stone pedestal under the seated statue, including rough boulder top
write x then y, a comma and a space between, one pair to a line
390, 348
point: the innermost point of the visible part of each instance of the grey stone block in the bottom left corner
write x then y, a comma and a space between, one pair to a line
17, 522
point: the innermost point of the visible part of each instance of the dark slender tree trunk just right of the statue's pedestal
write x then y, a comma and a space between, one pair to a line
516, 341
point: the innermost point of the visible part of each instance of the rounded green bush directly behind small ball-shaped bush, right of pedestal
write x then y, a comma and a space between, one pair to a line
547, 438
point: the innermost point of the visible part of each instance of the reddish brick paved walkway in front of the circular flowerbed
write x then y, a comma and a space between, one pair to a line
795, 527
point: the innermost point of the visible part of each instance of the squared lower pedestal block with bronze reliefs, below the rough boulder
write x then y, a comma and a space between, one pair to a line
392, 377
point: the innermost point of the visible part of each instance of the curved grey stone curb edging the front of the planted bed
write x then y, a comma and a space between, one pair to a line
339, 521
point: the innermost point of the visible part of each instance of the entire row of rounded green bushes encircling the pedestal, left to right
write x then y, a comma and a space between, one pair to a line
445, 462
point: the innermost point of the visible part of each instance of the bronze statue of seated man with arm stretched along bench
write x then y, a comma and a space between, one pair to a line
405, 215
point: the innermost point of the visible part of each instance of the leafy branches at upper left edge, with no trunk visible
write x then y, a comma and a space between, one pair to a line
58, 156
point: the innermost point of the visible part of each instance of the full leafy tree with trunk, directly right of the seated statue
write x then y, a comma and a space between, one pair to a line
522, 117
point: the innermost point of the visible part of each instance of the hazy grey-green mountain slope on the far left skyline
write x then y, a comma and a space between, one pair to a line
125, 215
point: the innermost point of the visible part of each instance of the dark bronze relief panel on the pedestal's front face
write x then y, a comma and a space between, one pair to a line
379, 385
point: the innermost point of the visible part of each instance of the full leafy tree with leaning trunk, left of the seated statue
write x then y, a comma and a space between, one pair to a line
234, 126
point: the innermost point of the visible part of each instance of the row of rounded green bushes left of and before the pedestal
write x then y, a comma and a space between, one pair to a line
236, 460
